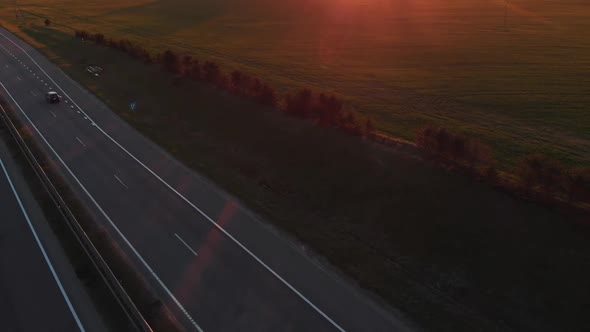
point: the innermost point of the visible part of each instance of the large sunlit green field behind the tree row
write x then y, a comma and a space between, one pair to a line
523, 87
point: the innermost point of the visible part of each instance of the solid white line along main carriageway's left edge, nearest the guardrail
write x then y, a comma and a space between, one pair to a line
135, 252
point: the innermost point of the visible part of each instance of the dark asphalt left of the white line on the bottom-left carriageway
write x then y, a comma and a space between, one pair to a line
29, 285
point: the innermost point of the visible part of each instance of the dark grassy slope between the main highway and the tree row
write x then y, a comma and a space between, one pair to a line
450, 253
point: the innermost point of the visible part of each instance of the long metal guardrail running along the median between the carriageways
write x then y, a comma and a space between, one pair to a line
99, 263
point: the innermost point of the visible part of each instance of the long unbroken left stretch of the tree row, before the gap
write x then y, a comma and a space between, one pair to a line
325, 110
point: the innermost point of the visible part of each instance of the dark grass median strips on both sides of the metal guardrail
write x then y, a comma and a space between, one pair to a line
135, 285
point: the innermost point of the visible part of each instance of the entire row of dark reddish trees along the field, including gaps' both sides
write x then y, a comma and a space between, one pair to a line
536, 173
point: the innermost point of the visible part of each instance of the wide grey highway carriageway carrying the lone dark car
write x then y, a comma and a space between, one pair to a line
217, 265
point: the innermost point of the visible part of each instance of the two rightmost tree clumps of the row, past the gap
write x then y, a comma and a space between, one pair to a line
535, 173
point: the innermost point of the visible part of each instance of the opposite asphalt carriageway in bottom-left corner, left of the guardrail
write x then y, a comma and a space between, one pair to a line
39, 290
